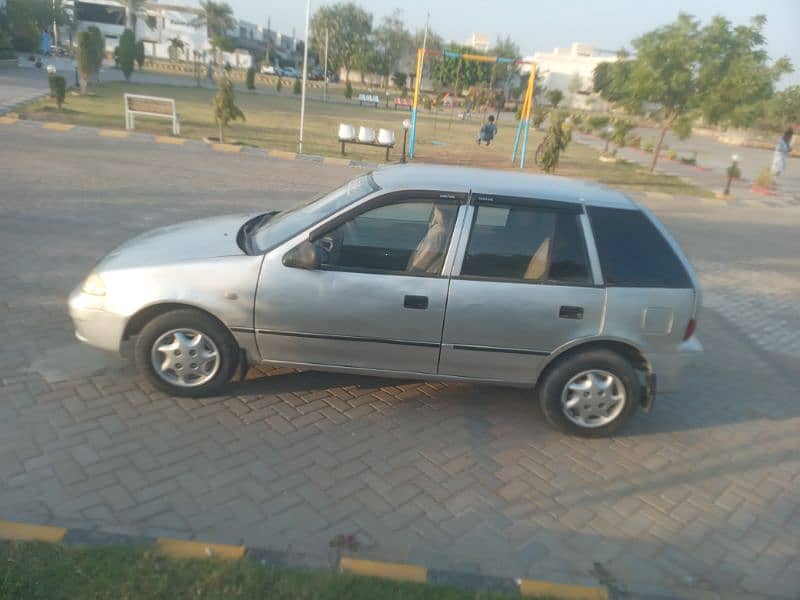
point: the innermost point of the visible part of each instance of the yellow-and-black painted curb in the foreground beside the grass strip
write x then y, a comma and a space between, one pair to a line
182, 549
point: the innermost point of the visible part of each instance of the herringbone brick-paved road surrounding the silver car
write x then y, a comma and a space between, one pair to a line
700, 496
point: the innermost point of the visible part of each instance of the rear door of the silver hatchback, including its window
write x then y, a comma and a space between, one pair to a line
522, 286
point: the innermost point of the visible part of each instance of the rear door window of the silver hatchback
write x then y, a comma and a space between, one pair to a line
527, 244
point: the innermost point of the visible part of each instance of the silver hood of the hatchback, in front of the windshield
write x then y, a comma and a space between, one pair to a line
193, 240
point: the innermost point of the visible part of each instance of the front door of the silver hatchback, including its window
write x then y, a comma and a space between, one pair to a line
378, 297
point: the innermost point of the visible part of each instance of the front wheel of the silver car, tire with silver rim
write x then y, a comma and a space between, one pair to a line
186, 353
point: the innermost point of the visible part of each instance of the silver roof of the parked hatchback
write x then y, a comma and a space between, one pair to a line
499, 183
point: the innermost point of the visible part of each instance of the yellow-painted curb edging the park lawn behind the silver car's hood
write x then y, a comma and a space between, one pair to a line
13, 119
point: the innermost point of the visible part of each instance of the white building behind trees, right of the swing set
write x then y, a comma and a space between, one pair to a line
571, 70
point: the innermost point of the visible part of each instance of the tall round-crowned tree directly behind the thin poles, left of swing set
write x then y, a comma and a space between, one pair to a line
348, 28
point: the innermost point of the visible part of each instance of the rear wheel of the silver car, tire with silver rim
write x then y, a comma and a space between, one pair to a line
601, 378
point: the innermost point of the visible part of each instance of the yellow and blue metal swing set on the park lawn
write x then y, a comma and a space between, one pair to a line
521, 137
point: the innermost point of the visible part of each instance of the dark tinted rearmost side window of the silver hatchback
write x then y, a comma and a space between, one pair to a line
633, 252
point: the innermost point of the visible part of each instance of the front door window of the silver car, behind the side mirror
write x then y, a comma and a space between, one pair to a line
406, 237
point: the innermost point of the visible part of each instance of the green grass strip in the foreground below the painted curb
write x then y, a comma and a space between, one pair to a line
34, 570
